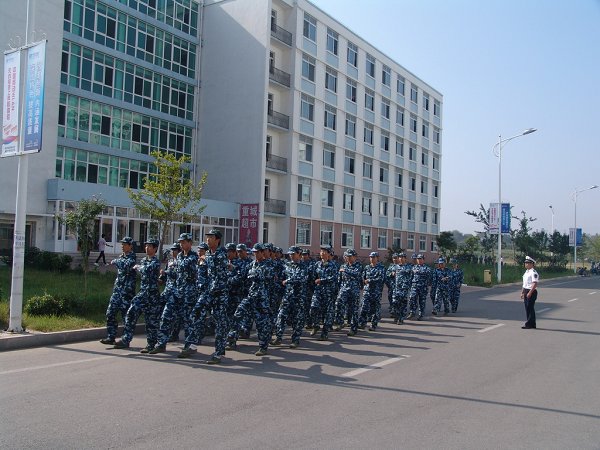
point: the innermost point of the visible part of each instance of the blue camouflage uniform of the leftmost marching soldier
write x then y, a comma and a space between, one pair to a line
123, 292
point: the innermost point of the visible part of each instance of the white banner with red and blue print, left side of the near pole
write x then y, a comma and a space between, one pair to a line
10, 104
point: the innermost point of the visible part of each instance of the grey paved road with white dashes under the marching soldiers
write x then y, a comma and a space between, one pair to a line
474, 380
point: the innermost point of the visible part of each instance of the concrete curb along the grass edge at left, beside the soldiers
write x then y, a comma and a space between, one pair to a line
10, 341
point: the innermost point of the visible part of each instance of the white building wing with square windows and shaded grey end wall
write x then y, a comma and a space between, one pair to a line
336, 142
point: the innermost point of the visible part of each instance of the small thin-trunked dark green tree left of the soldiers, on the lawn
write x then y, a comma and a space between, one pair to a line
81, 220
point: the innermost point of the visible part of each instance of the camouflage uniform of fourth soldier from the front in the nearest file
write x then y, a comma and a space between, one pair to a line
323, 300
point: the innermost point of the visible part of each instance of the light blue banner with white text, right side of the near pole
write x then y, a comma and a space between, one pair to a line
34, 98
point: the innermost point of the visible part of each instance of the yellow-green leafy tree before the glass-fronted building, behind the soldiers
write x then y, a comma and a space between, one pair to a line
169, 194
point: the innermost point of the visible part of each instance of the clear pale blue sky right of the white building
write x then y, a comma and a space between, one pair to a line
503, 66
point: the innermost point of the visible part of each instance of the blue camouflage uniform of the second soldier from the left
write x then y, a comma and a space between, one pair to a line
147, 301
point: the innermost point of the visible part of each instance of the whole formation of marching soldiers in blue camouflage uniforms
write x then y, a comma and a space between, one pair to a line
225, 288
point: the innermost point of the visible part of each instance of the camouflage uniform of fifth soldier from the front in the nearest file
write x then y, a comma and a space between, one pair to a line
349, 295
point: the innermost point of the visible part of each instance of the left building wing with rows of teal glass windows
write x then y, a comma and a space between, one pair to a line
121, 81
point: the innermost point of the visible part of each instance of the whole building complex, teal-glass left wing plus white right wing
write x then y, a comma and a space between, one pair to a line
283, 107
